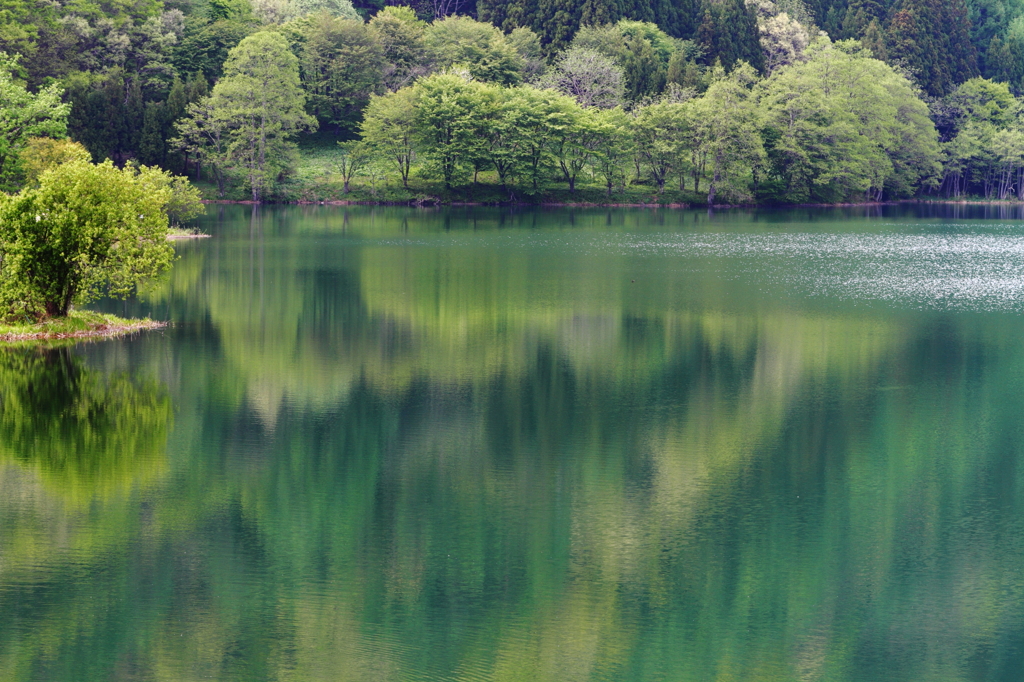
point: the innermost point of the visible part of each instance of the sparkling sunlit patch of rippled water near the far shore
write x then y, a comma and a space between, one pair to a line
980, 270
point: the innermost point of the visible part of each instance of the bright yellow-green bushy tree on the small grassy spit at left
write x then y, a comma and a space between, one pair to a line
87, 231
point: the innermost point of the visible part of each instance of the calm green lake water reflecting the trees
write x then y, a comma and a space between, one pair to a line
383, 444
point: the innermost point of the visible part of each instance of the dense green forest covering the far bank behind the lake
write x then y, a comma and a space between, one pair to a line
732, 101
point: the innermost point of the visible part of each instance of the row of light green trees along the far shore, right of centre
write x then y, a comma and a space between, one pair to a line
837, 126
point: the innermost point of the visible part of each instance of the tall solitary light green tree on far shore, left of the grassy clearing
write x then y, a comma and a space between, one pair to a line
261, 105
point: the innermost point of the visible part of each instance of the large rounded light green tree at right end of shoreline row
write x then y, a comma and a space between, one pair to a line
843, 125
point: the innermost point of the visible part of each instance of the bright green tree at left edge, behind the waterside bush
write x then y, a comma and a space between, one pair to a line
24, 115
